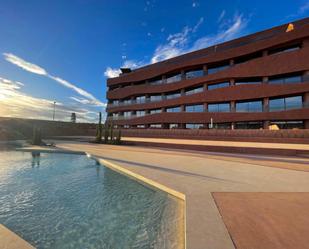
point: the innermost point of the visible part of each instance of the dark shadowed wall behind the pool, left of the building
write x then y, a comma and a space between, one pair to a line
16, 128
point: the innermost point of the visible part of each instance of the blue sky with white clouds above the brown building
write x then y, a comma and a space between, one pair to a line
63, 51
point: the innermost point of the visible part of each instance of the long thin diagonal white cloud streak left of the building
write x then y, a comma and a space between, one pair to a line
30, 67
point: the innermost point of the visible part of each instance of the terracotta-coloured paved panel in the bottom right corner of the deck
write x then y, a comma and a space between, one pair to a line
266, 220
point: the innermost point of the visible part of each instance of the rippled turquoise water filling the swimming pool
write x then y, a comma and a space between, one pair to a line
70, 201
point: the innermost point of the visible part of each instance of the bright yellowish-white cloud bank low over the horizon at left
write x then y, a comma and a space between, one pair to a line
15, 103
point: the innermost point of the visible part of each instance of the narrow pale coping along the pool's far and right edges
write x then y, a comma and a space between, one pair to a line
120, 170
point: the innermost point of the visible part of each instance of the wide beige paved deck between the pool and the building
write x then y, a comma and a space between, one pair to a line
198, 175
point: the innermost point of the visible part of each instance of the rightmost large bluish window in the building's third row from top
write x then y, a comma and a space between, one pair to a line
280, 104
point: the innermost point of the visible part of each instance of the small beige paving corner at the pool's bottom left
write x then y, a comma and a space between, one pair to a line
10, 240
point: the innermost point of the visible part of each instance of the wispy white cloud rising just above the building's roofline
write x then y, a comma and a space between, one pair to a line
182, 42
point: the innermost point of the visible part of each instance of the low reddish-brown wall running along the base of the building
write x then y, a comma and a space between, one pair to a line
281, 136
